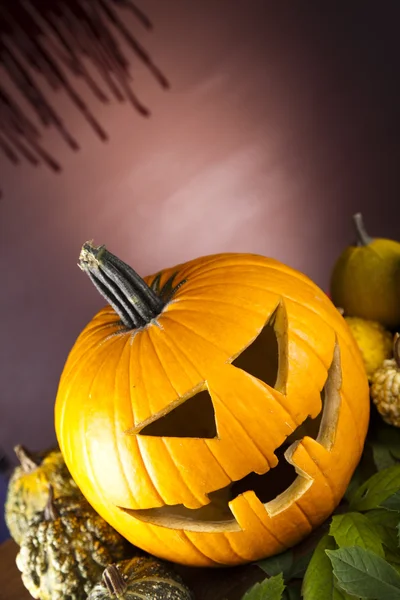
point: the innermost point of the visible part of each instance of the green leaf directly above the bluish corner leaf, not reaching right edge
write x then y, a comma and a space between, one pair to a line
354, 529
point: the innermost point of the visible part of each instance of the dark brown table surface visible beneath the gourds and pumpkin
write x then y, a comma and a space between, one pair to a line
207, 584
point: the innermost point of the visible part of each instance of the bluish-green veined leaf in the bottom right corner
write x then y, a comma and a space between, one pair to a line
362, 572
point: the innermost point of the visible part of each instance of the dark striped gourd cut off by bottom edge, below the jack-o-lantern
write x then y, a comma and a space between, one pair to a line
140, 578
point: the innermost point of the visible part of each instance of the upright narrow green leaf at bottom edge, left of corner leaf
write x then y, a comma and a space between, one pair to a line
319, 582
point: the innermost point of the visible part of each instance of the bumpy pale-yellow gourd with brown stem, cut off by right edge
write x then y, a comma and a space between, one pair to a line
385, 388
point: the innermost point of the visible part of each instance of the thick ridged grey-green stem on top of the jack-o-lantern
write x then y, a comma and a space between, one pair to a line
134, 301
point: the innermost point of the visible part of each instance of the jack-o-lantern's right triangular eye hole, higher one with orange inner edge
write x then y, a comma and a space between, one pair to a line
262, 358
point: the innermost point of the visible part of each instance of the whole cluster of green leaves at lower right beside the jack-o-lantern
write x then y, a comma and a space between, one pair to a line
356, 554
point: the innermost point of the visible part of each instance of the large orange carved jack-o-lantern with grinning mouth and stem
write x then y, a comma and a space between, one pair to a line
214, 414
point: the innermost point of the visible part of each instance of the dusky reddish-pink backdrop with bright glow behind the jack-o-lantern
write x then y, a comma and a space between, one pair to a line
282, 120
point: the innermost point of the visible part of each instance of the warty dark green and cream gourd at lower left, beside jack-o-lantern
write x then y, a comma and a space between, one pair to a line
66, 549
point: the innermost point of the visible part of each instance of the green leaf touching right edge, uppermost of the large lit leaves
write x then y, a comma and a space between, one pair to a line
376, 489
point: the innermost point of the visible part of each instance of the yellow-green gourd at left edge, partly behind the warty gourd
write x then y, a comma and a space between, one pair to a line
28, 488
